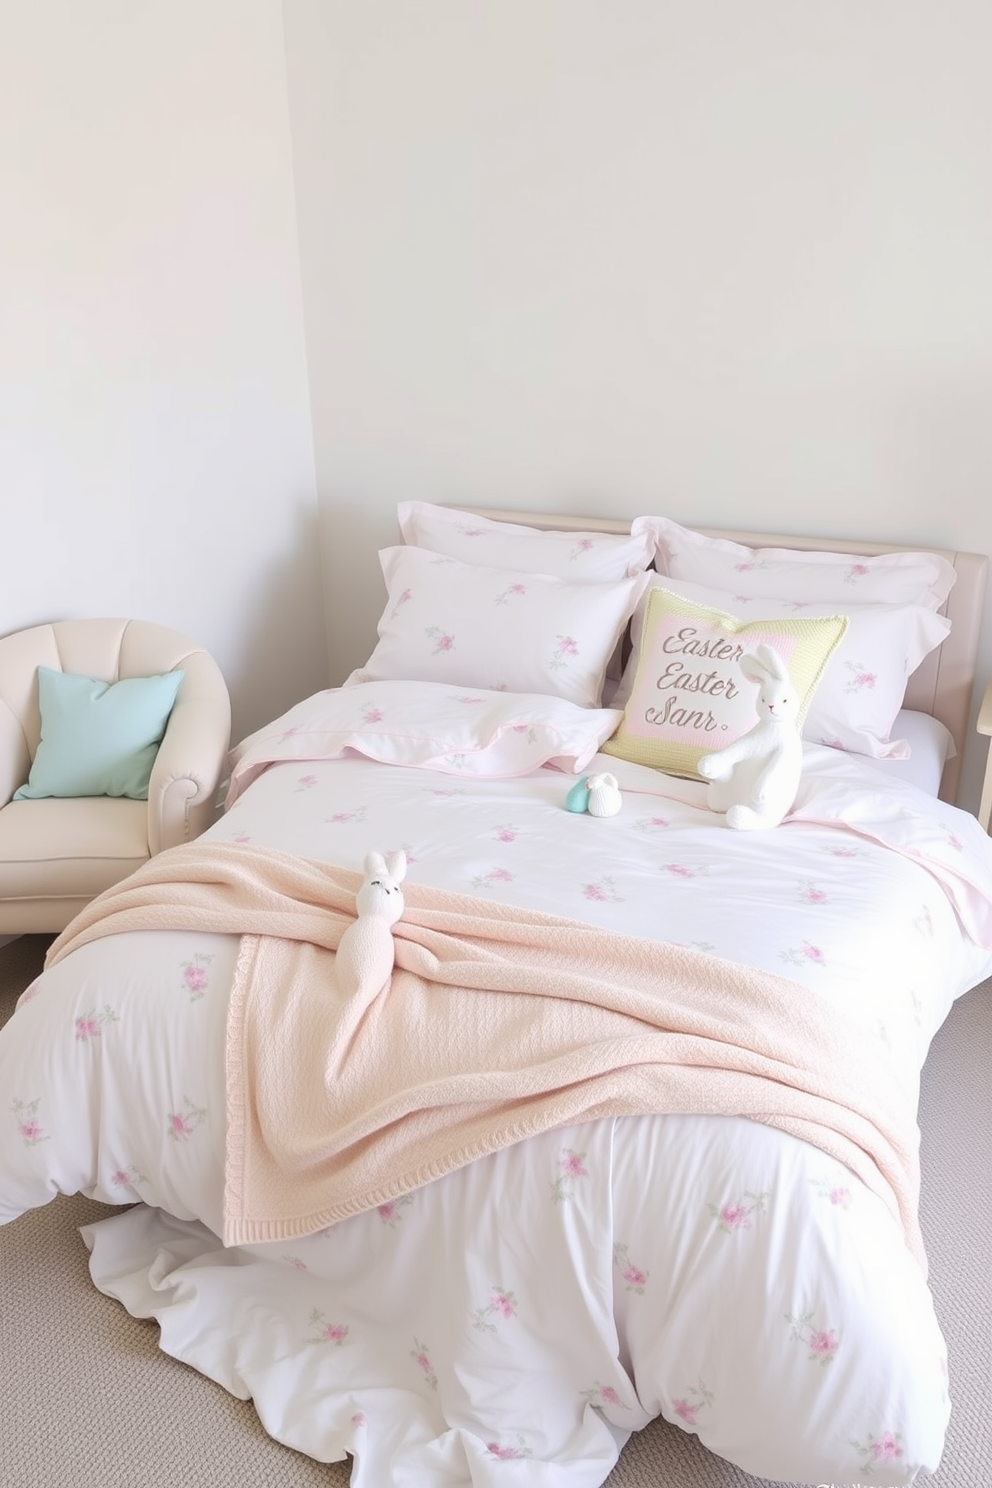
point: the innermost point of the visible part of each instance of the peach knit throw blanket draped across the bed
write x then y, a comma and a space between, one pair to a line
496, 1024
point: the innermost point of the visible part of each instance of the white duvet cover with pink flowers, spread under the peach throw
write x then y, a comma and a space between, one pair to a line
514, 1322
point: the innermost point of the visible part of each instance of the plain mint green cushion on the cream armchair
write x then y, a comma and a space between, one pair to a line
99, 739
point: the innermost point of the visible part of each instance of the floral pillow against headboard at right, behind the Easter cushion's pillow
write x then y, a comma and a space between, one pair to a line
782, 574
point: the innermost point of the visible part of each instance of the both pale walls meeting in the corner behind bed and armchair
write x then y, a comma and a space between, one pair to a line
731, 263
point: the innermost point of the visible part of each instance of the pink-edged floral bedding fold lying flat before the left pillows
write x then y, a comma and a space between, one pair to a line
429, 725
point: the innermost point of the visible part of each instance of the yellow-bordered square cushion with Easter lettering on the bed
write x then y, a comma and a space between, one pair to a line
689, 697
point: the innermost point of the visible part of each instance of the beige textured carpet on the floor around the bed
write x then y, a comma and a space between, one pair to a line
87, 1401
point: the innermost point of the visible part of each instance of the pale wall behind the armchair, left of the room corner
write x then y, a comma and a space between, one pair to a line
155, 435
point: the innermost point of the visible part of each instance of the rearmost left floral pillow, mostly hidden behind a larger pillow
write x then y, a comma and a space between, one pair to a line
578, 557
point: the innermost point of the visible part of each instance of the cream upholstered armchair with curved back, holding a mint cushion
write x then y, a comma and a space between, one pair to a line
56, 853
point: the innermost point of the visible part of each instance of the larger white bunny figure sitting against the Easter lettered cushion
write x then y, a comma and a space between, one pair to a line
756, 779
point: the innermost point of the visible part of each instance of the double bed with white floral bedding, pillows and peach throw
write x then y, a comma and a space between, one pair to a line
631, 1130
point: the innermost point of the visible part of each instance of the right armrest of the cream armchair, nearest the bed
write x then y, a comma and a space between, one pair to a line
193, 757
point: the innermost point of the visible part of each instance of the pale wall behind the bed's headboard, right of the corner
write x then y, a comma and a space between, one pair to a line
725, 261
